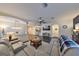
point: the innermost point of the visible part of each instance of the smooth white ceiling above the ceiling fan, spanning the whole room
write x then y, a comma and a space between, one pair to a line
32, 11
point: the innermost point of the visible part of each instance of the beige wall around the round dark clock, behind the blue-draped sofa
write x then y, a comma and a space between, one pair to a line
65, 19
